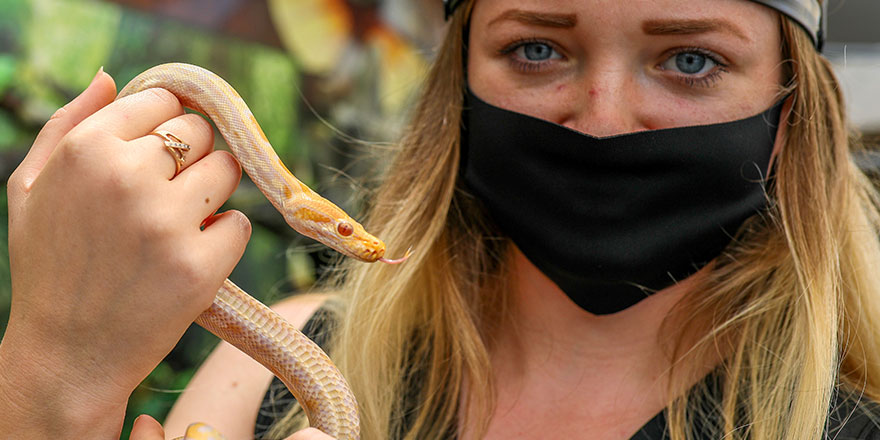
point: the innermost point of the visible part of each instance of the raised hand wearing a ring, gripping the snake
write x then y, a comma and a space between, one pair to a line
109, 263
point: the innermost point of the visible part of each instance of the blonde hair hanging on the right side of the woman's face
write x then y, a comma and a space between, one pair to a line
794, 300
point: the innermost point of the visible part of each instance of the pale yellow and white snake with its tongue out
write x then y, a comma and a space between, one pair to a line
235, 316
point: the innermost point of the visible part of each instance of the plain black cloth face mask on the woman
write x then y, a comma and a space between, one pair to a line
613, 220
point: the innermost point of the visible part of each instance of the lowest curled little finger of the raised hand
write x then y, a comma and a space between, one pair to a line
224, 239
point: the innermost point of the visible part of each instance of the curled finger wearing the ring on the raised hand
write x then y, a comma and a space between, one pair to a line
190, 129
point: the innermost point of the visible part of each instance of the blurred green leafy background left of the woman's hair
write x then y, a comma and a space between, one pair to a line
328, 80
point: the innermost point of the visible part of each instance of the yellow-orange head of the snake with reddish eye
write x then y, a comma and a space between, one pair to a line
326, 223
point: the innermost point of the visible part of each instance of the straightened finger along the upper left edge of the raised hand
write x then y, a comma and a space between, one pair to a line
98, 94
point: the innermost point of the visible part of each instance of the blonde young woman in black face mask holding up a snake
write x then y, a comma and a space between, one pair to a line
630, 218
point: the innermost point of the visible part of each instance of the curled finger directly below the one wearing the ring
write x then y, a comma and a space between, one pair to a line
206, 184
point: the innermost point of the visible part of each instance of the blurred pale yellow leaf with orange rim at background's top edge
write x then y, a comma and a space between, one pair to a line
317, 32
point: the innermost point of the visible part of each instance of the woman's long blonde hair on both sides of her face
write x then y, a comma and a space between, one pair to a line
792, 305
